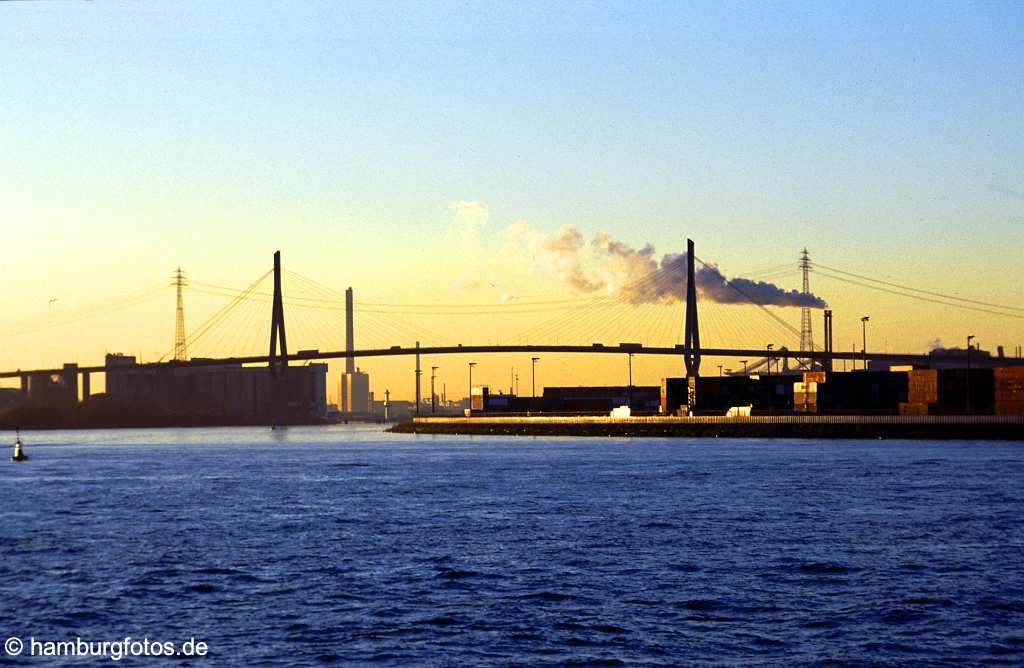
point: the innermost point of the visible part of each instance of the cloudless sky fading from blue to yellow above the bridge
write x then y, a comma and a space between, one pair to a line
426, 153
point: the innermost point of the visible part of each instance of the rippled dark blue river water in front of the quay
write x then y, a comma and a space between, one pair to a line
351, 546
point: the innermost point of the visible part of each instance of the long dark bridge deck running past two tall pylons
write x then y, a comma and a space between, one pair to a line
622, 349
